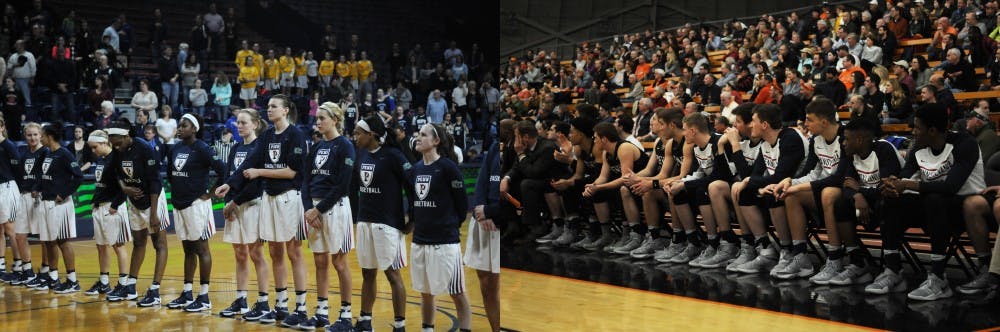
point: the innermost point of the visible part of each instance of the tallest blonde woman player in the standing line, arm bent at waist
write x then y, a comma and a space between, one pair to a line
278, 162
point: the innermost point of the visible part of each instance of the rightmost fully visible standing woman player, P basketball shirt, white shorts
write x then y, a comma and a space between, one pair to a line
438, 212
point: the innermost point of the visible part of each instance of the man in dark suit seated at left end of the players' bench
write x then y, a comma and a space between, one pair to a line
534, 169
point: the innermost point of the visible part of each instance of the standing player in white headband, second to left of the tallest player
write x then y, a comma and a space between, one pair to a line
189, 162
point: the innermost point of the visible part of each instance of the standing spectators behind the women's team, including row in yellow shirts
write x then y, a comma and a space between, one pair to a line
58, 67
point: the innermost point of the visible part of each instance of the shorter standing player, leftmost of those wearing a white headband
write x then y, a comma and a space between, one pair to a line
111, 224
